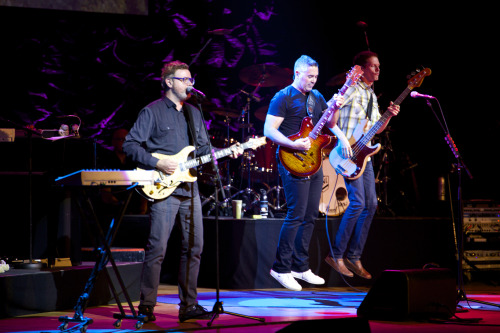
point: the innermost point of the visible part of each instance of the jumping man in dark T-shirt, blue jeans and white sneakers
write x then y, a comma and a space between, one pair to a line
284, 117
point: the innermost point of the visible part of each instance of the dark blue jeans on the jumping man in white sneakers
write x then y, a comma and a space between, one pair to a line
302, 198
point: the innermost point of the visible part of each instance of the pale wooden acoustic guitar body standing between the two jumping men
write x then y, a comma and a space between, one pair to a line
334, 199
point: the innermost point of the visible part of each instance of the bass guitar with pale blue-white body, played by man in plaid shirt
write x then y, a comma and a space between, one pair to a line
353, 168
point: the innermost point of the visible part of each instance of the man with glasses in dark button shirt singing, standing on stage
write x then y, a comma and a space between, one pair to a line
166, 126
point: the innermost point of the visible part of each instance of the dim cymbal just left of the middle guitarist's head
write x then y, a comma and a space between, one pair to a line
264, 75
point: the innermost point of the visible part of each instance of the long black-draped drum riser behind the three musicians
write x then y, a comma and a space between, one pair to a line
247, 250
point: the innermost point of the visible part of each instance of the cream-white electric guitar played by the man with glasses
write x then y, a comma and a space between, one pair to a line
165, 184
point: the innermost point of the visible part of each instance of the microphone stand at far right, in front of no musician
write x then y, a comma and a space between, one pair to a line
458, 226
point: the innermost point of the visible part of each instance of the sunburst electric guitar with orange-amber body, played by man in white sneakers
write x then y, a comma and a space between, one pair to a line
305, 163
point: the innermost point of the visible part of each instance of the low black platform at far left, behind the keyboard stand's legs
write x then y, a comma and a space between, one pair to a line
26, 292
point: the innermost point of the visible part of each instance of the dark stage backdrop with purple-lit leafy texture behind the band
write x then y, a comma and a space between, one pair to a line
103, 68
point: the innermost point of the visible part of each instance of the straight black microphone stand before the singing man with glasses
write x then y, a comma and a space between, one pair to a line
218, 308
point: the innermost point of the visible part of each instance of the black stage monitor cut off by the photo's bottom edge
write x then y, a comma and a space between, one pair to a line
350, 324
